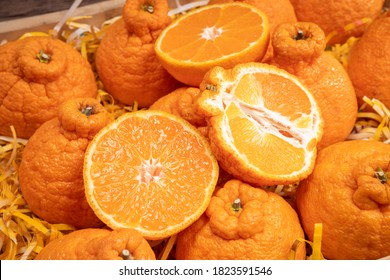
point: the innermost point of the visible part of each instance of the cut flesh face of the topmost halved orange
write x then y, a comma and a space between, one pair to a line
211, 24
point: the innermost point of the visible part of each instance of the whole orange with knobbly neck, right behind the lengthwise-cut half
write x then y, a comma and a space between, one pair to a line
299, 48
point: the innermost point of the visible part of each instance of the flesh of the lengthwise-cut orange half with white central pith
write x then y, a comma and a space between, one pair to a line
262, 128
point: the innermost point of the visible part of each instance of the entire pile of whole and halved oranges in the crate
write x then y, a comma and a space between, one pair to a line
228, 134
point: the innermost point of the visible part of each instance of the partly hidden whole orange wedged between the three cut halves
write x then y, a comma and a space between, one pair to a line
181, 102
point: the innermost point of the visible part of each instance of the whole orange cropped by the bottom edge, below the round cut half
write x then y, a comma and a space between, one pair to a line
98, 244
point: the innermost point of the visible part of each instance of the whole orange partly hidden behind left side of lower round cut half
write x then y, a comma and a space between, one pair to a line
51, 169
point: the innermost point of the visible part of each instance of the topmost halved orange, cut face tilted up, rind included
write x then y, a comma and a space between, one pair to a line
212, 35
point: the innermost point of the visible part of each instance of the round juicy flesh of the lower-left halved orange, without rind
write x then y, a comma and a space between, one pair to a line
166, 169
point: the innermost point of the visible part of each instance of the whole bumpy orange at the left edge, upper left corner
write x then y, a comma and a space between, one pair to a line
31, 91
